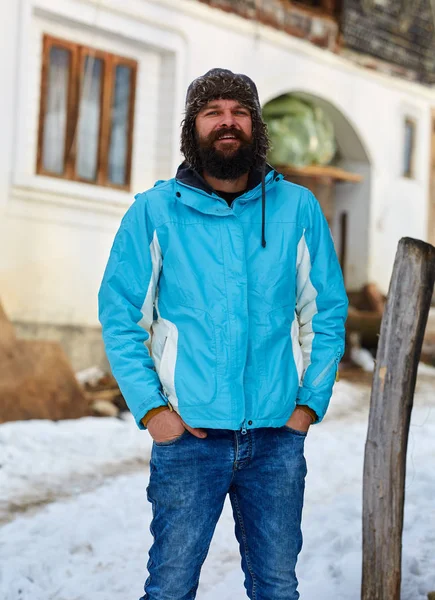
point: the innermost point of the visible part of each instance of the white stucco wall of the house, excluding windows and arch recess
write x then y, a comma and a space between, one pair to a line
55, 235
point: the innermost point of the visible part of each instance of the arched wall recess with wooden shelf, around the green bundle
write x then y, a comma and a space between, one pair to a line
343, 189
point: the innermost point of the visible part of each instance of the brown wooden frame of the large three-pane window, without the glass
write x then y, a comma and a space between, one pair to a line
78, 54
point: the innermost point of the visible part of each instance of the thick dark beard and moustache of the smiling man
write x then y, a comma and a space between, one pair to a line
230, 164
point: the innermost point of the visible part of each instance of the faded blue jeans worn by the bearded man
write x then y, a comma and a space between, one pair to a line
263, 471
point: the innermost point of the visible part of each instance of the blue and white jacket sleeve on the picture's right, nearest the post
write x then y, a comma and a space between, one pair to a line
321, 308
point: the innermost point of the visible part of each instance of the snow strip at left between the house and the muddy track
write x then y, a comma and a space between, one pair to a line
43, 460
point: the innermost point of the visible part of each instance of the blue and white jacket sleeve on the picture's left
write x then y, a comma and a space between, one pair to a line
126, 308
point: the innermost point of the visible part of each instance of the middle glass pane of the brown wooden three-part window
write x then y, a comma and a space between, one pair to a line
88, 128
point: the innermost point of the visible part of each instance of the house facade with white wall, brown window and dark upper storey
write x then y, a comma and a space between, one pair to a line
93, 95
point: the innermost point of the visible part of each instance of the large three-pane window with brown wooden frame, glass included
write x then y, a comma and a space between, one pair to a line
86, 114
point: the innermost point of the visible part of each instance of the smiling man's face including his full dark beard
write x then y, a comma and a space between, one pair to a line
224, 136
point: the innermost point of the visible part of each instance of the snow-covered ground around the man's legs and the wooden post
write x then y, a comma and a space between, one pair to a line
76, 519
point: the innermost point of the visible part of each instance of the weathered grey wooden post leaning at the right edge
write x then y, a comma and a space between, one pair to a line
399, 349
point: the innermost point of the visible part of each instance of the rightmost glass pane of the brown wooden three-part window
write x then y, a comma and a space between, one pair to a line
118, 150
